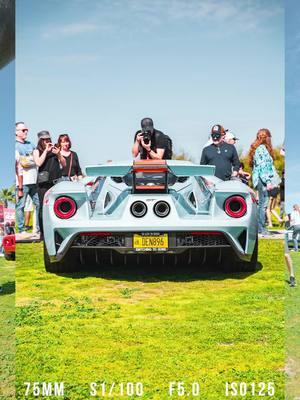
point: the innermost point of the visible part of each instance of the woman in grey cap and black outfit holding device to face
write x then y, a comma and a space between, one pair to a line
49, 160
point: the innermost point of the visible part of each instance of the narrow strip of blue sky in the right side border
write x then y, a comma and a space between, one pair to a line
292, 103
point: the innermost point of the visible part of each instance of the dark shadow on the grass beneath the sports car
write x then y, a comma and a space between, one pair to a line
155, 273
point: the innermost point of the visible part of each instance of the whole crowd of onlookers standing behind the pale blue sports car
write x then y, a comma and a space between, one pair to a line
39, 167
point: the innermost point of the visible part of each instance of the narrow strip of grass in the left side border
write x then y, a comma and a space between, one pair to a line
7, 329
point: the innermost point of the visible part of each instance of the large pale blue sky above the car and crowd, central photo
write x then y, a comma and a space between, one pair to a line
94, 69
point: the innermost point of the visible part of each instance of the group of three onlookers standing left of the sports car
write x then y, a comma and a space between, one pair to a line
38, 168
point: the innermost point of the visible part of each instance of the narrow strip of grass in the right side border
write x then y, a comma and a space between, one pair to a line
293, 334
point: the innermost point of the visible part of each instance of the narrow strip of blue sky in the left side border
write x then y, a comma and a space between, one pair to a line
7, 125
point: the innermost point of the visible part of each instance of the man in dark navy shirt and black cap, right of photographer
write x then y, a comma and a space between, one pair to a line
221, 154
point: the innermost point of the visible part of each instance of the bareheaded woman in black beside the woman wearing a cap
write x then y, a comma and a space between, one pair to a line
72, 169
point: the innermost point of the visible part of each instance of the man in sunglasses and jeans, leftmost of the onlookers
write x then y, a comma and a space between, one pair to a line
26, 171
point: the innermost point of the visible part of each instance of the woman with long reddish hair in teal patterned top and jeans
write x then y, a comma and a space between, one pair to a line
261, 159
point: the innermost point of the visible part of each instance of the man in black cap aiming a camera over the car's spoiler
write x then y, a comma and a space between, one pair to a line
150, 143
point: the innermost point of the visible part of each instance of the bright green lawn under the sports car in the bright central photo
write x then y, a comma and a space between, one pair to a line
152, 327
